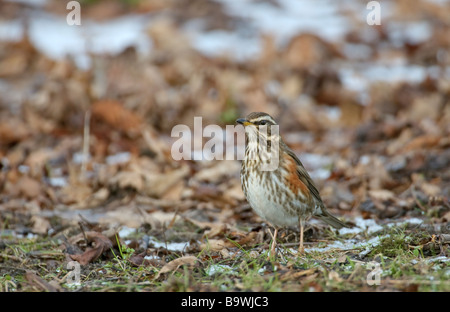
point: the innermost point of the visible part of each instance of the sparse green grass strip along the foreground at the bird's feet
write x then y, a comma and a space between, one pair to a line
400, 255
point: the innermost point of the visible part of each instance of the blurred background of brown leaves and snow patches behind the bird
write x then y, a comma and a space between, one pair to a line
86, 111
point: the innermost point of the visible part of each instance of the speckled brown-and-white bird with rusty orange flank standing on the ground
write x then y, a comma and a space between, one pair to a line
275, 182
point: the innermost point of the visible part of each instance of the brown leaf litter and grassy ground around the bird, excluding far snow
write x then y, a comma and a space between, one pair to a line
389, 162
